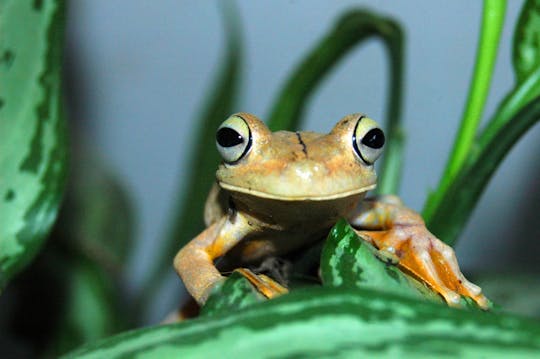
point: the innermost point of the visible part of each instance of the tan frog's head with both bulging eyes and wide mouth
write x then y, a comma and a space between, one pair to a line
298, 166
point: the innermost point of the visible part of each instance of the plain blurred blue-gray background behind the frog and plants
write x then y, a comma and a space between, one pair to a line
141, 70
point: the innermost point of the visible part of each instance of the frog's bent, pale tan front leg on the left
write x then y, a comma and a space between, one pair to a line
194, 263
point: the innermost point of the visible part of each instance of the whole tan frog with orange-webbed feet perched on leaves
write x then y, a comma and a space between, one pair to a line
277, 192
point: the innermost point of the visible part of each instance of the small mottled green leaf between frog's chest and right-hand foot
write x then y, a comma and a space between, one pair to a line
349, 261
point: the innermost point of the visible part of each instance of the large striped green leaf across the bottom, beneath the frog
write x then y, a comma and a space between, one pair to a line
326, 322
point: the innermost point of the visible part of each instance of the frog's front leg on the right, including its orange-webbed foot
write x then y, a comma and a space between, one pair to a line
398, 230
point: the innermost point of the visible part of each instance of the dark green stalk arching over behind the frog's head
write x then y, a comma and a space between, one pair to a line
349, 31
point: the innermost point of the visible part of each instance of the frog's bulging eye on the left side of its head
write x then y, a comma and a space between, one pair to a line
233, 139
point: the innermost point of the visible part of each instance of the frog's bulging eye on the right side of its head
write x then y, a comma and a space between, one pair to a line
368, 140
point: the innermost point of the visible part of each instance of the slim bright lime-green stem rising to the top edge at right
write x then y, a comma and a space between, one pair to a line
492, 22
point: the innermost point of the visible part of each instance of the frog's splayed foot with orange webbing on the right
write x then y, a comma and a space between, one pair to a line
427, 258
